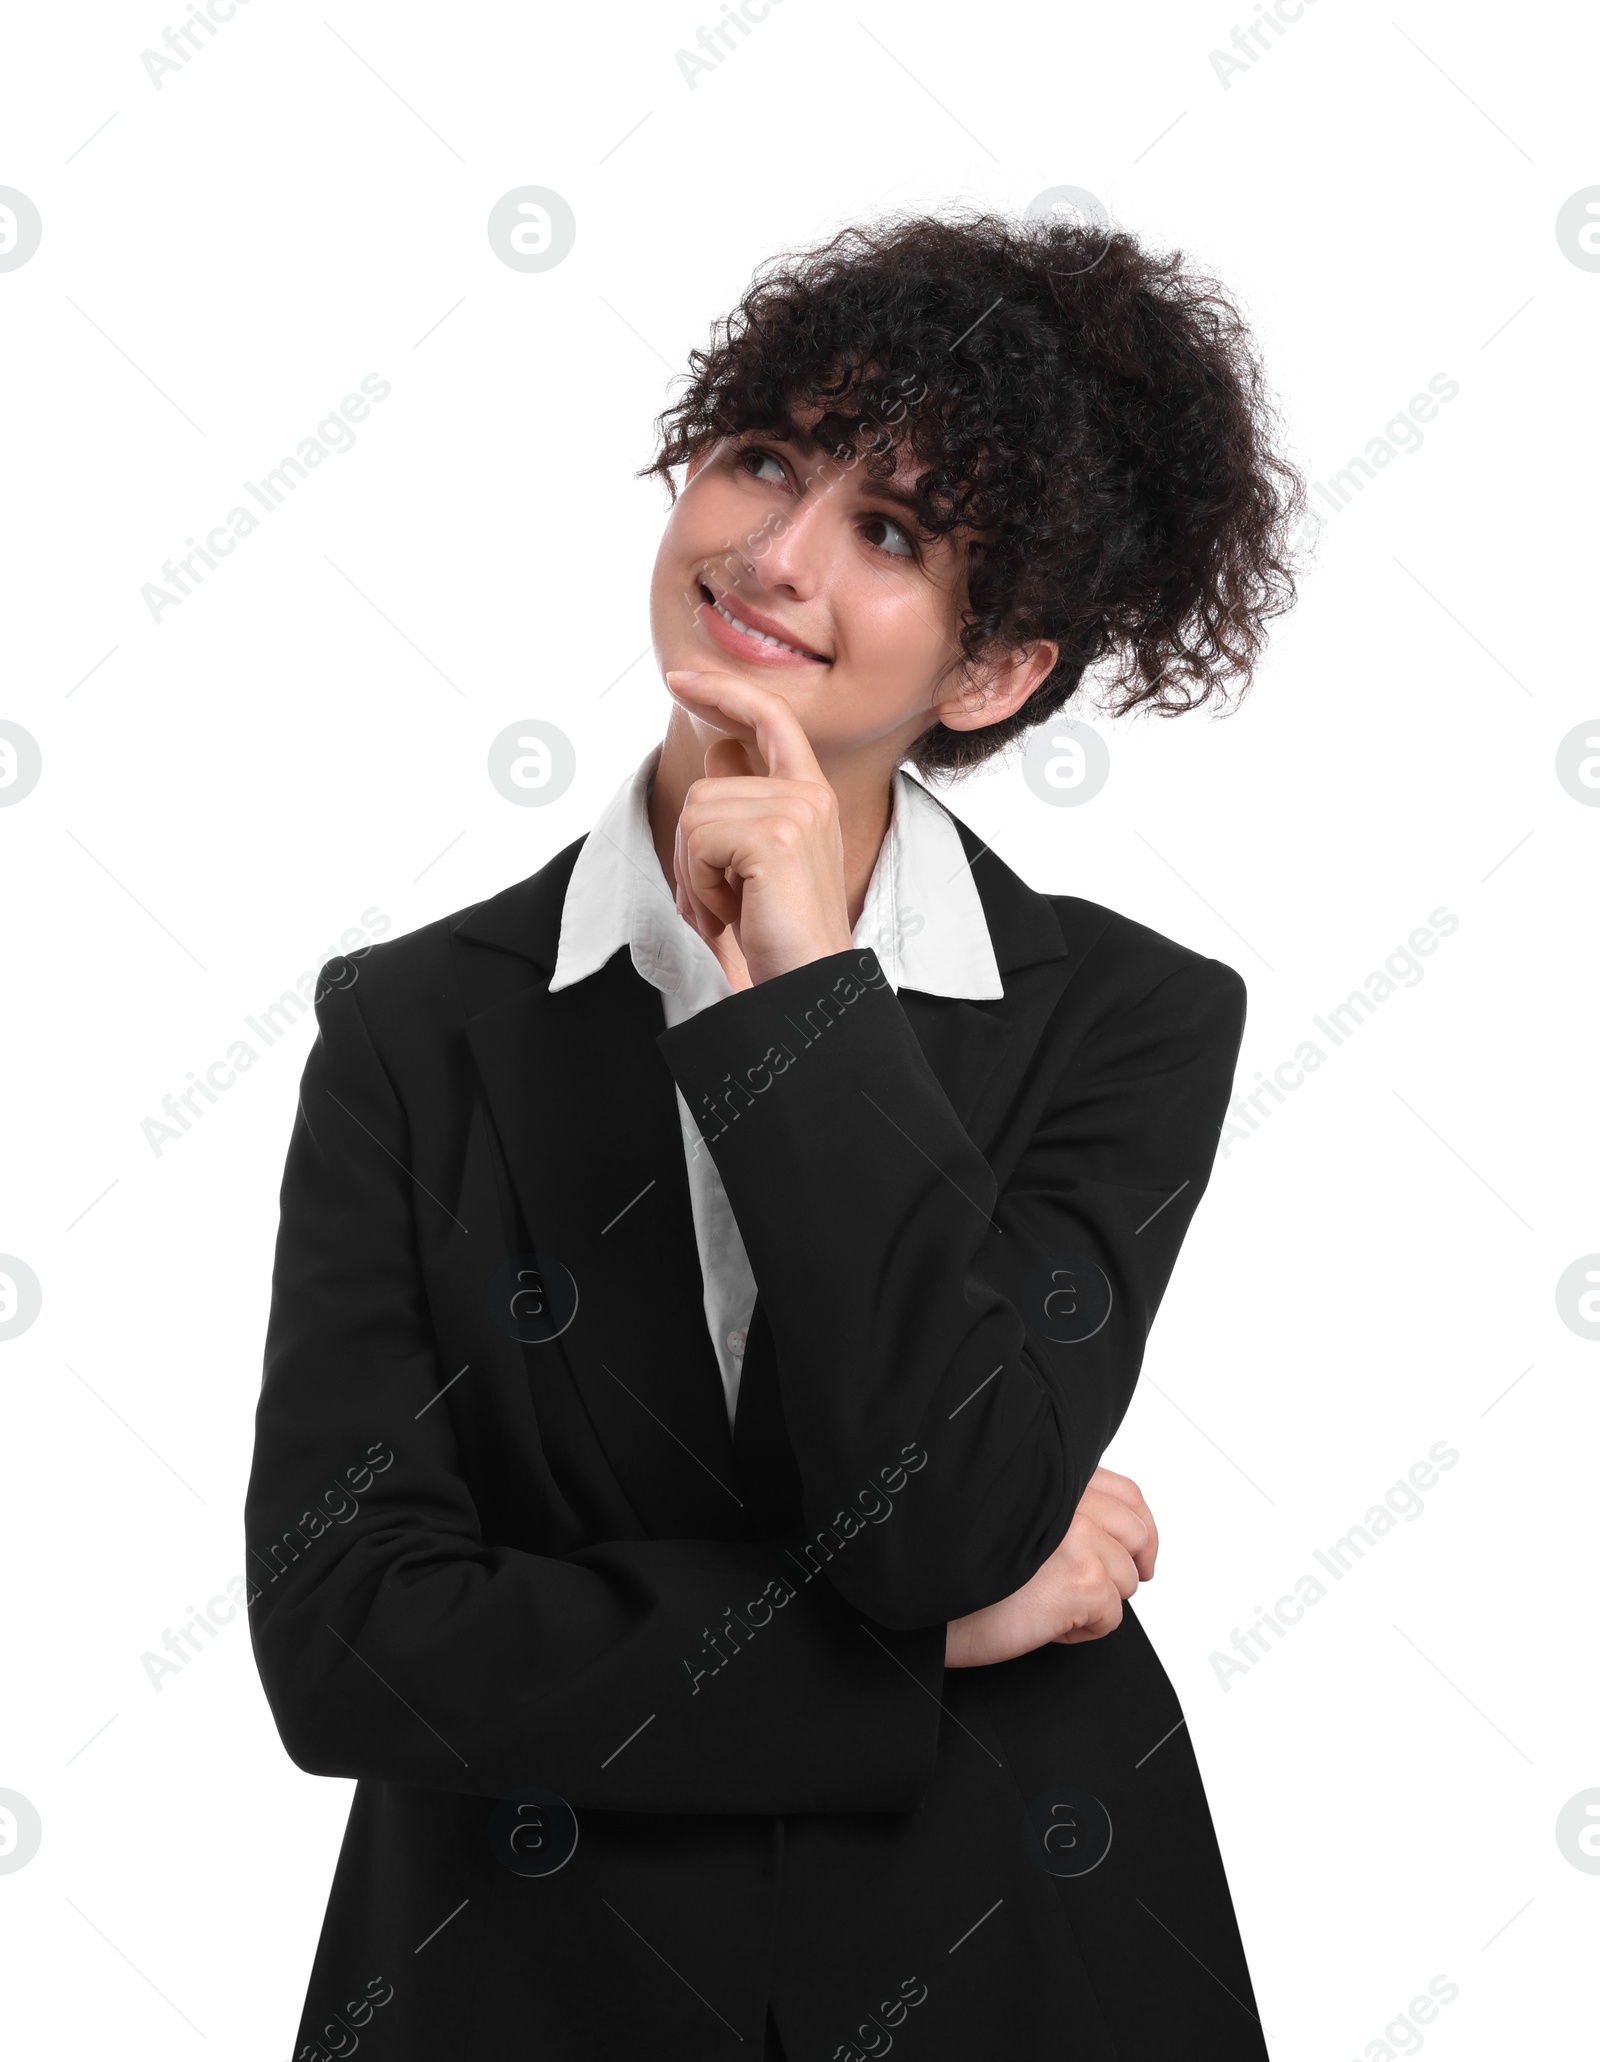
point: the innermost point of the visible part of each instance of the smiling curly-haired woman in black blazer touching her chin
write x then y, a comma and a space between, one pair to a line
712, 1269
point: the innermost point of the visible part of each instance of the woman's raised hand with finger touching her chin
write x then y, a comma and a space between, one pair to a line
760, 855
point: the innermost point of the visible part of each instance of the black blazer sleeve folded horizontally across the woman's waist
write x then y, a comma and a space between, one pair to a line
397, 1642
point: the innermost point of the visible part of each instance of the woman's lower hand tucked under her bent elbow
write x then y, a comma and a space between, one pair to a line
1077, 1595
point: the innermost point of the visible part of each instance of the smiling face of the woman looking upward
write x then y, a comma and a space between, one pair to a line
813, 578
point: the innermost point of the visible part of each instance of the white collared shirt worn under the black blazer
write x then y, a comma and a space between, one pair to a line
923, 919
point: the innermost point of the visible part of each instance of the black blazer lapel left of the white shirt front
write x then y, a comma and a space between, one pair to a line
589, 1119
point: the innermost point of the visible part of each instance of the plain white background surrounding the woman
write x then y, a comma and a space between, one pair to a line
304, 739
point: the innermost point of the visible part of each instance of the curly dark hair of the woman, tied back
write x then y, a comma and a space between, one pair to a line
1092, 418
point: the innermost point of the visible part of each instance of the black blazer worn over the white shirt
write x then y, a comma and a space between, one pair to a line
651, 1723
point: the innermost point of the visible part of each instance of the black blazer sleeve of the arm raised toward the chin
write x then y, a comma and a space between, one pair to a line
910, 1298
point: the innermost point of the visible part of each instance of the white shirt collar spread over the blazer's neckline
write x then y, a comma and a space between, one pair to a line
923, 914
